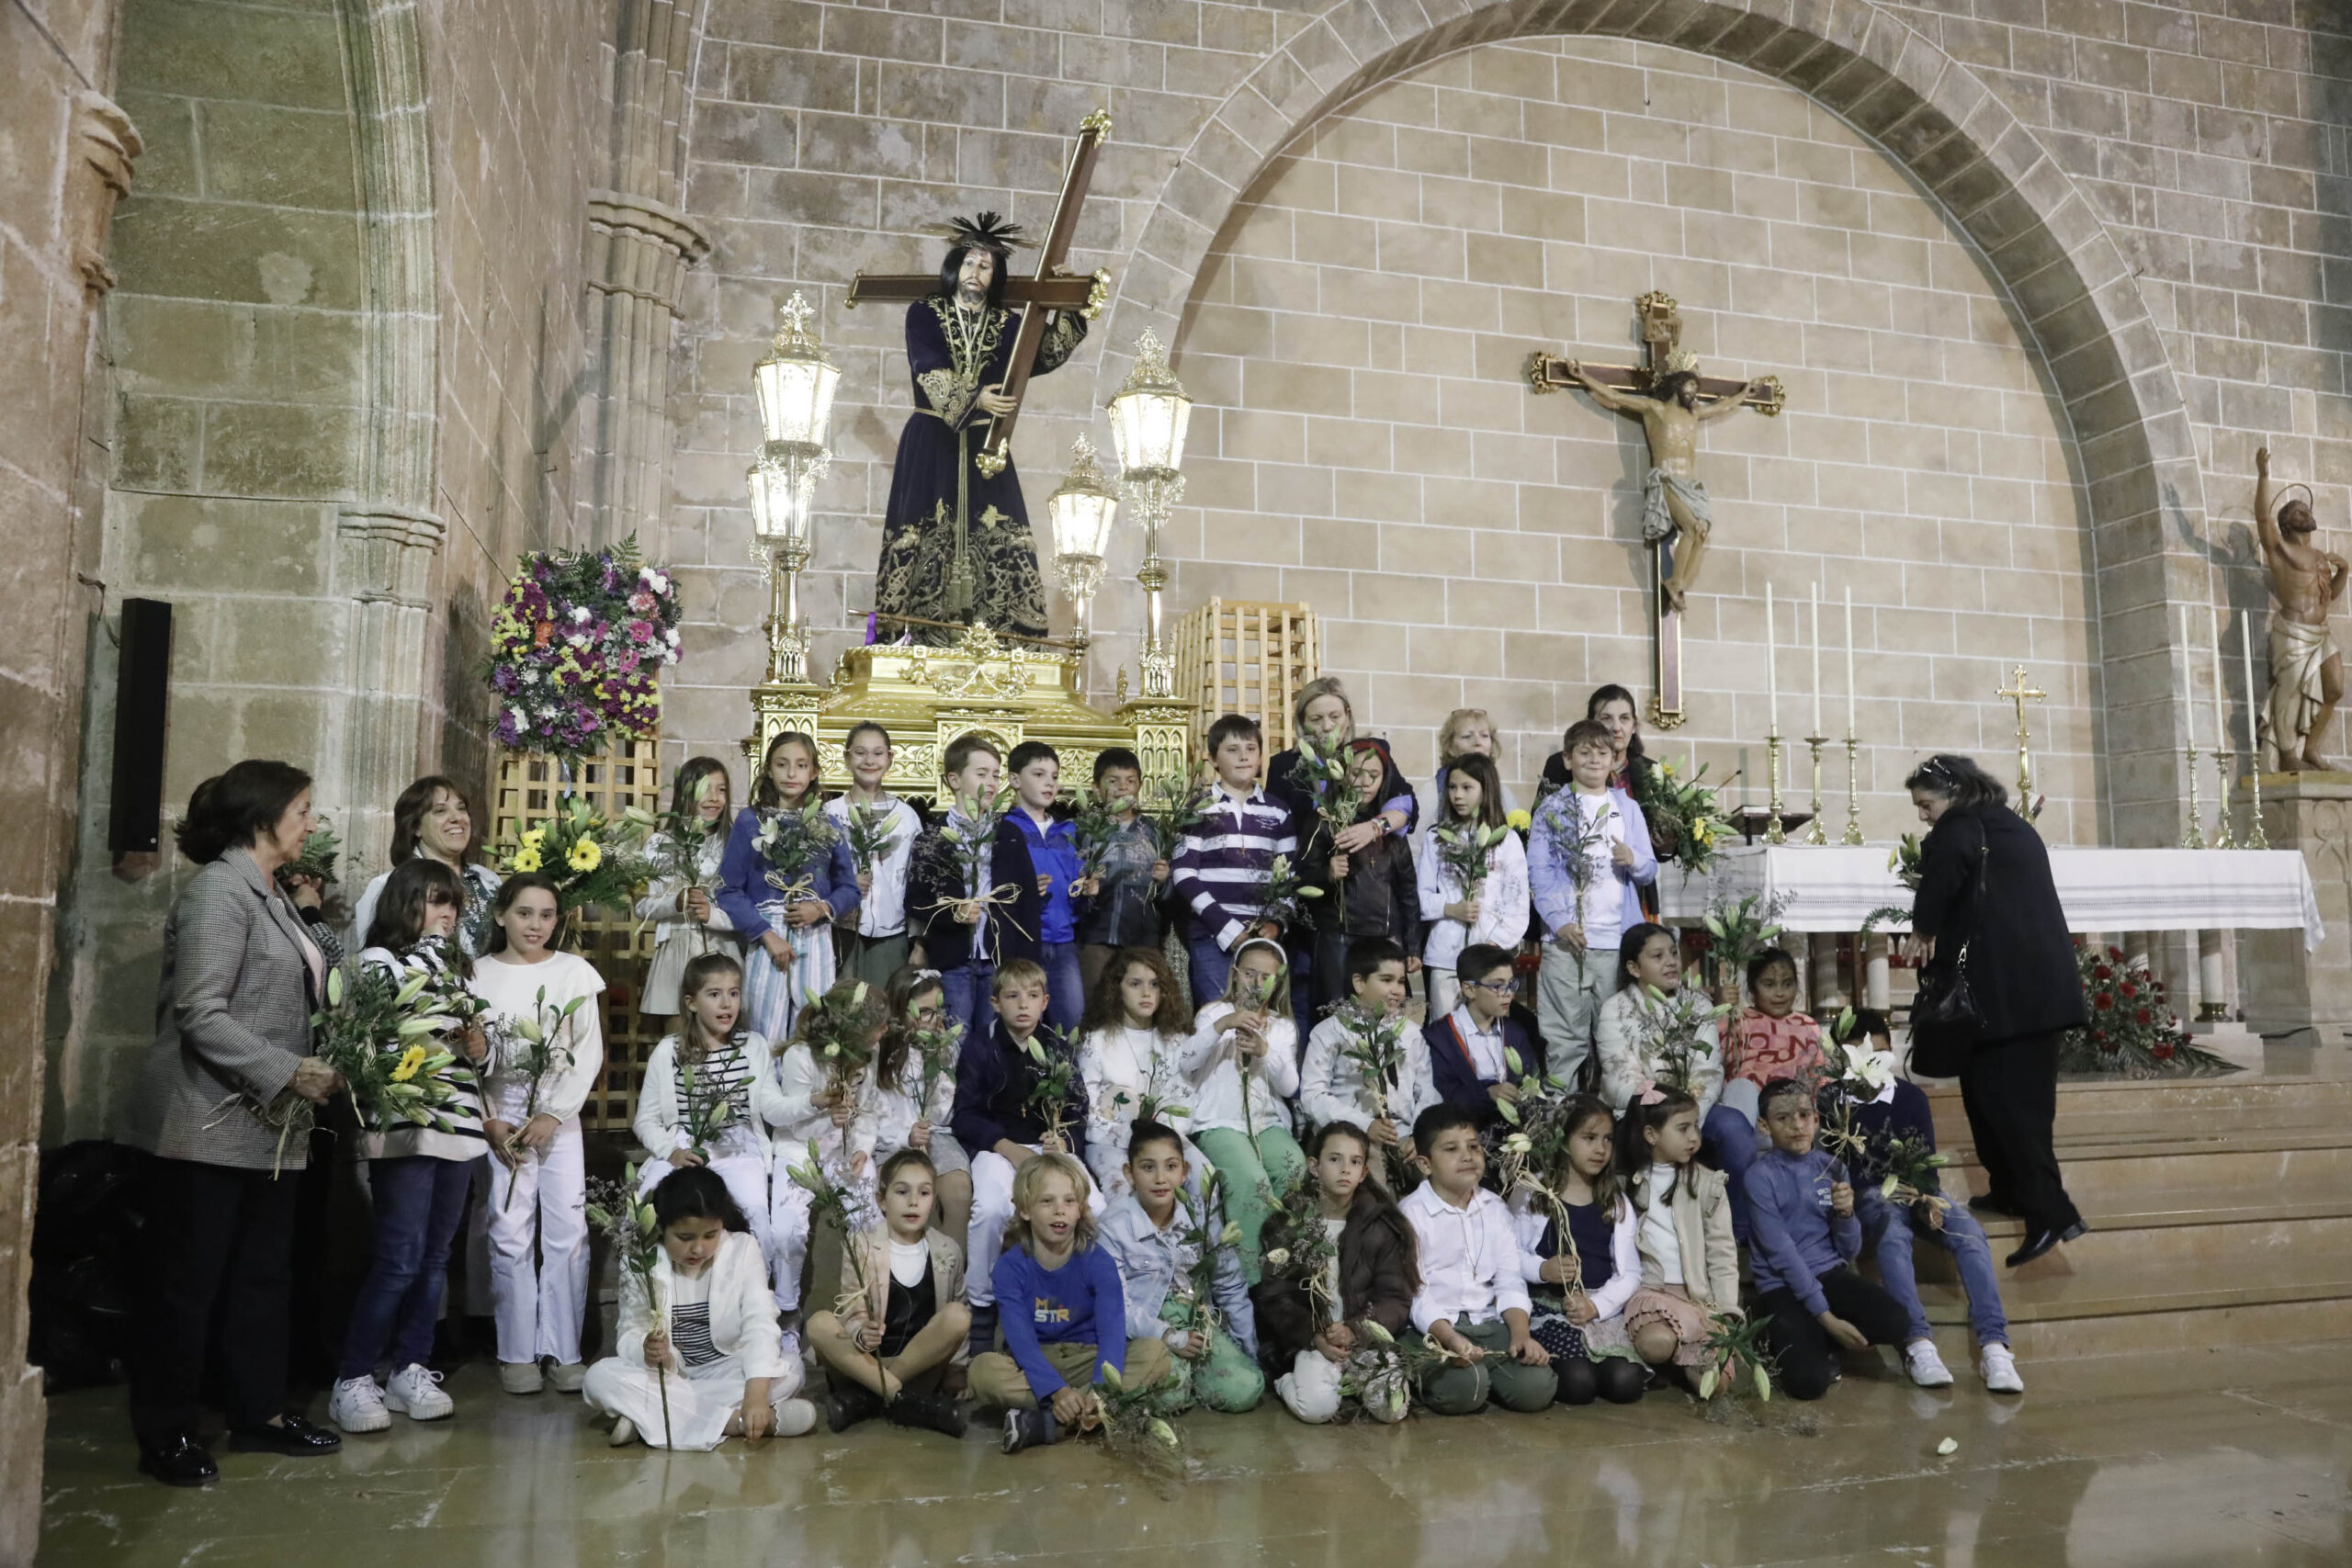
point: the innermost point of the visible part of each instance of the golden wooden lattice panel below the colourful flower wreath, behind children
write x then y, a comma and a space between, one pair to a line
615, 942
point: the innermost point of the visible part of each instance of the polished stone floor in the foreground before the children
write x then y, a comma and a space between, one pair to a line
2127, 1461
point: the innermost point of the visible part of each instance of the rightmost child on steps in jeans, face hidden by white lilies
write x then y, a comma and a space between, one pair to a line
1911, 1214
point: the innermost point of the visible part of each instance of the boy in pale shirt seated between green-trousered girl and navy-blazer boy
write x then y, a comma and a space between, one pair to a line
1339, 1087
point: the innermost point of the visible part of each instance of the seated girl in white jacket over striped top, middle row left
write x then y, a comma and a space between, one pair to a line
697, 1099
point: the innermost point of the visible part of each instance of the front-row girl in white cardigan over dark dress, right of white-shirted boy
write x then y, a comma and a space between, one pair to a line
1582, 1280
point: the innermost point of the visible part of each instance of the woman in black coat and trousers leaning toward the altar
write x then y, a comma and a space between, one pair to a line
1986, 887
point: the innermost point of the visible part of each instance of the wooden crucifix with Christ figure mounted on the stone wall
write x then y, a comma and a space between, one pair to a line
1671, 401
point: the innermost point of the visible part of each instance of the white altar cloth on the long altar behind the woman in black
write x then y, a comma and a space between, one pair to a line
2104, 890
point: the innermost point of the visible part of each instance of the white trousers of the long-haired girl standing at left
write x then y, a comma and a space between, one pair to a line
540, 1304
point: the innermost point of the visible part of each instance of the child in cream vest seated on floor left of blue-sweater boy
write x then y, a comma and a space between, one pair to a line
902, 1320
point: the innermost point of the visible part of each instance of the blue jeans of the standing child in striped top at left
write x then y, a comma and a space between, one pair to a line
420, 1202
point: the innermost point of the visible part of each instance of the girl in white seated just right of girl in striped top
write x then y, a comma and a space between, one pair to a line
810, 1101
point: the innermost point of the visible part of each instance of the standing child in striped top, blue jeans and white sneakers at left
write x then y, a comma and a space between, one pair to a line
415, 1174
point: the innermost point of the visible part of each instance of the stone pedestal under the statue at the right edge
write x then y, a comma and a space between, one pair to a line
2287, 989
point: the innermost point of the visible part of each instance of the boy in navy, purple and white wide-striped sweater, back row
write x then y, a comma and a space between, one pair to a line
1222, 862
